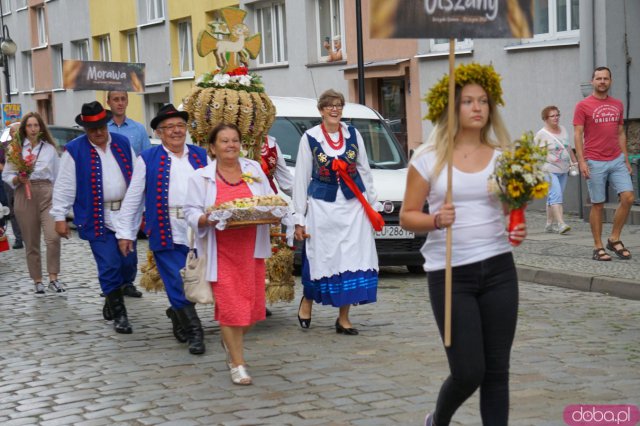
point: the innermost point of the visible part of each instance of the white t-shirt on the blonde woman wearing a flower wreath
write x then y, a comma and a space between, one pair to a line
479, 230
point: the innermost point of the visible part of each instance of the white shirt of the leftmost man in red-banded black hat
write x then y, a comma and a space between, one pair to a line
114, 185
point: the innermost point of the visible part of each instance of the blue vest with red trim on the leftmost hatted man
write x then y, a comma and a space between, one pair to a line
88, 206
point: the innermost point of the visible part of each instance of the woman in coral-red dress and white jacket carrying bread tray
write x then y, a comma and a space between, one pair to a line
235, 262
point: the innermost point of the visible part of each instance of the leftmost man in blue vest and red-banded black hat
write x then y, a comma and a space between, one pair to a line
95, 171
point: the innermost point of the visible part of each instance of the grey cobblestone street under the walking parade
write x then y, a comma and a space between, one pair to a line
61, 363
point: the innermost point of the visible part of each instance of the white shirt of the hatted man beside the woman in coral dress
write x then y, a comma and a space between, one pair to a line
181, 171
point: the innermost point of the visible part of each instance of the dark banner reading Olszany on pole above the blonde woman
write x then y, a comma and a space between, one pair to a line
451, 19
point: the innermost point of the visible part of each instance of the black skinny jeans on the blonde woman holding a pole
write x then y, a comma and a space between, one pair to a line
483, 323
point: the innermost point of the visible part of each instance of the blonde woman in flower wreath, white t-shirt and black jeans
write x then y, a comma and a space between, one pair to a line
485, 284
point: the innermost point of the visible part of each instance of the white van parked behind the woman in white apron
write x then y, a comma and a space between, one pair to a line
388, 165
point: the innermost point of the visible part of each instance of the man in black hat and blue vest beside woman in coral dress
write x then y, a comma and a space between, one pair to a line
160, 184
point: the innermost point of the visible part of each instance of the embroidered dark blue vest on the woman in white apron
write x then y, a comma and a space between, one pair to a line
324, 181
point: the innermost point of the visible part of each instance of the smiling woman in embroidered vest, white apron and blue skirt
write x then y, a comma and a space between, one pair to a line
340, 263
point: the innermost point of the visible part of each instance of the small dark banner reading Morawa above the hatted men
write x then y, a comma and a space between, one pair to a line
97, 75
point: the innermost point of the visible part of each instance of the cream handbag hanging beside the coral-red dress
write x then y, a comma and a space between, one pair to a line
196, 287
